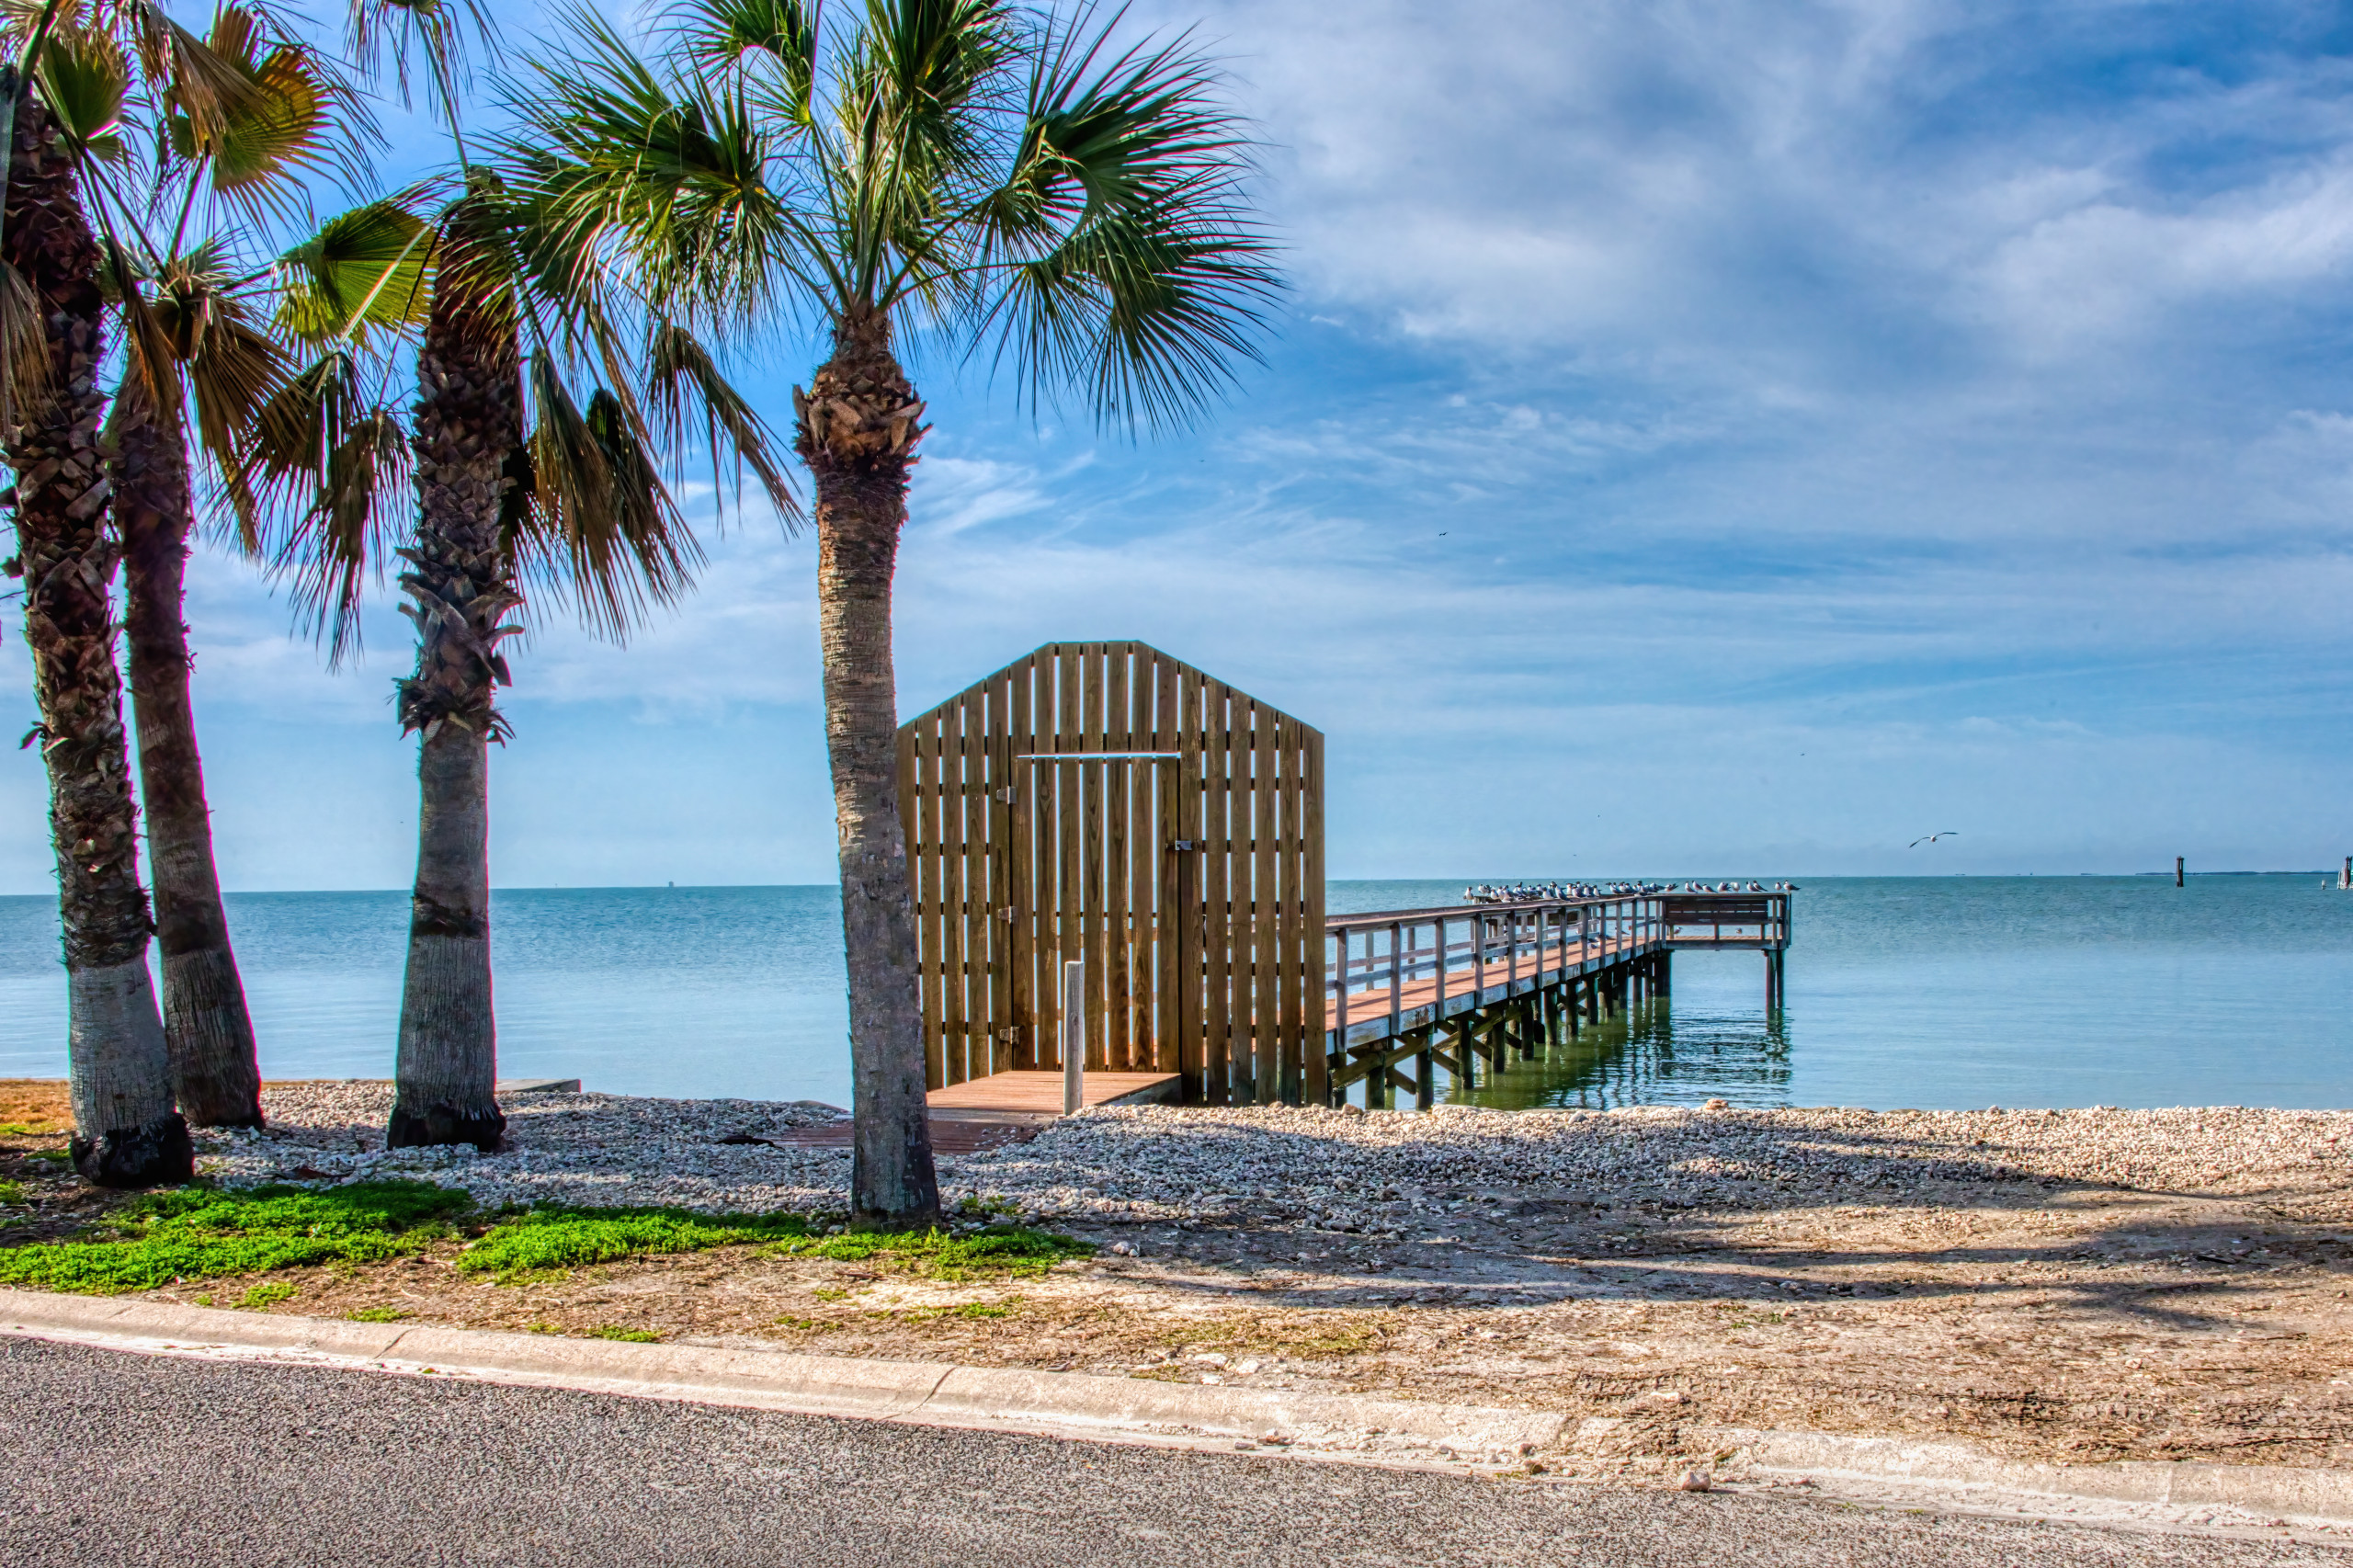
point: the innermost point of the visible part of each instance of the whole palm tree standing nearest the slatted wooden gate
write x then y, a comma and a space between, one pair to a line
1008, 182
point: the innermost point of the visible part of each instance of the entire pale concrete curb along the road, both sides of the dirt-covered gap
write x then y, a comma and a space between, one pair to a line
1140, 1409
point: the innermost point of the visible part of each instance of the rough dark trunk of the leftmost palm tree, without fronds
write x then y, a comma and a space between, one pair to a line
121, 1079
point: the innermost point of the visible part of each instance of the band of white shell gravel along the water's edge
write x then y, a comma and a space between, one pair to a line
1375, 1174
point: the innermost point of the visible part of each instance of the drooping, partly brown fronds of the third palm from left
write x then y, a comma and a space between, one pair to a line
615, 397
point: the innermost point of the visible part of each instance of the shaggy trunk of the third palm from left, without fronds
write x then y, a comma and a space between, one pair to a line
469, 418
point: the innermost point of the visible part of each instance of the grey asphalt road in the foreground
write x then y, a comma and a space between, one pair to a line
121, 1461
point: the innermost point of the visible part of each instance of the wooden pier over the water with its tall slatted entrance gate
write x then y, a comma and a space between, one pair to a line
1114, 809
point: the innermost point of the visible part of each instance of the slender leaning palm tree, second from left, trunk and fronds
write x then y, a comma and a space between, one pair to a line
196, 335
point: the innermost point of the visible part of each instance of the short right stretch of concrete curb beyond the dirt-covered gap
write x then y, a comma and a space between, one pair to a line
2307, 1496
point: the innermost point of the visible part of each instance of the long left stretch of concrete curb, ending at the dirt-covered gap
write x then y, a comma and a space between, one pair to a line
924, 1393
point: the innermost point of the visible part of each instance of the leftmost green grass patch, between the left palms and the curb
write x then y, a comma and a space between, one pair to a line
199, 1233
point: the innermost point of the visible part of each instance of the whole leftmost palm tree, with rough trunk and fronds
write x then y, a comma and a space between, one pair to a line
53, 340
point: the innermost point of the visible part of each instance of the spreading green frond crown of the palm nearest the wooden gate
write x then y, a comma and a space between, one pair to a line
1020, 185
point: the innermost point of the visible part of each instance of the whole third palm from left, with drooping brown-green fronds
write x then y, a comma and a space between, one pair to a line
521, 484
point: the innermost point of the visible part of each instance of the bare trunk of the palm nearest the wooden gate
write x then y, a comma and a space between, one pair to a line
858, 430
